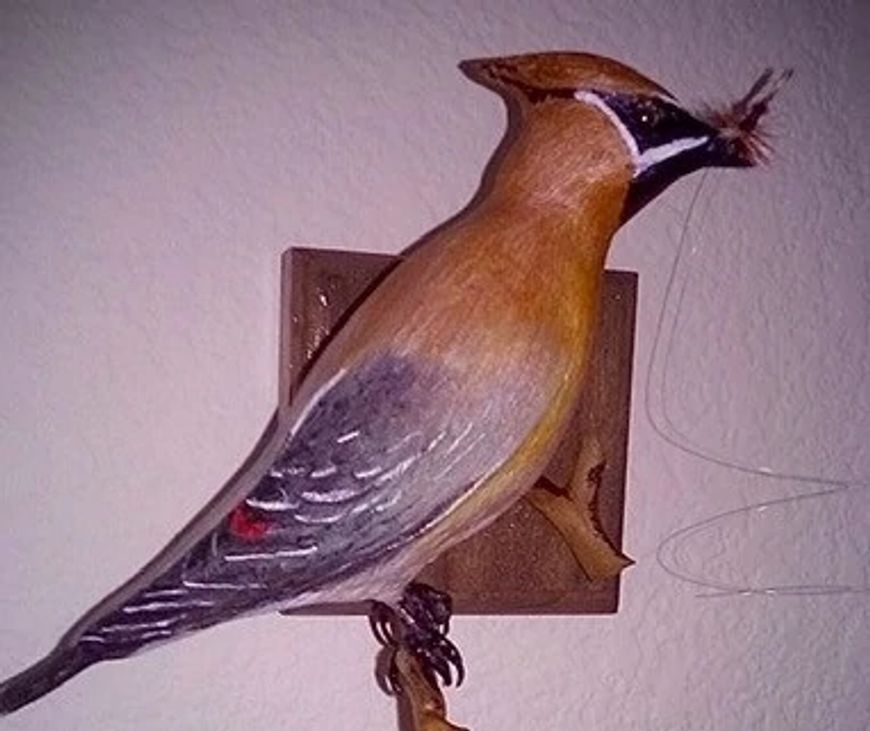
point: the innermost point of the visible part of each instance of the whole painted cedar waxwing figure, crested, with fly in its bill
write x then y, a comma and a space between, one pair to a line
442, 398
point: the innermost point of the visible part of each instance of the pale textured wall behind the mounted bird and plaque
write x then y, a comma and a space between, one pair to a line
156, 158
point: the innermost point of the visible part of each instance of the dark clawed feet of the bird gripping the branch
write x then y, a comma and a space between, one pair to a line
419, 624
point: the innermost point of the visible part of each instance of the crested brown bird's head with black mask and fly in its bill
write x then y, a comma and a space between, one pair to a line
578, 95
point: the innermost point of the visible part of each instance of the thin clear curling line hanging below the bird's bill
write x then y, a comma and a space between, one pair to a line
670, 553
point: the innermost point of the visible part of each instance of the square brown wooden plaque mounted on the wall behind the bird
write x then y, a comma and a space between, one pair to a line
519, 565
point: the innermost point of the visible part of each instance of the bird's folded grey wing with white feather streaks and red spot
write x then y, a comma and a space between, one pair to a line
376, 459
